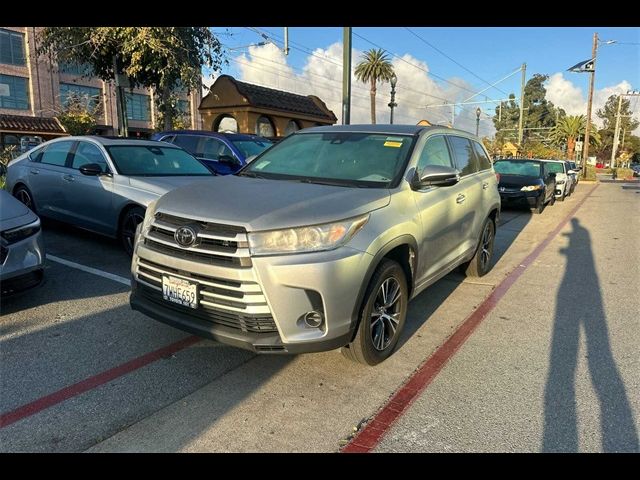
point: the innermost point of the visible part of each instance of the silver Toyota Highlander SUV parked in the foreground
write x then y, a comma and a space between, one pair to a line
321, 241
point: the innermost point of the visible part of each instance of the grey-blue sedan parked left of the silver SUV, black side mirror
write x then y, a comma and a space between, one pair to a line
98, 183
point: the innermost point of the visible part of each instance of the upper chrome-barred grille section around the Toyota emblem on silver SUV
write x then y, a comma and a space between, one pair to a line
215, 244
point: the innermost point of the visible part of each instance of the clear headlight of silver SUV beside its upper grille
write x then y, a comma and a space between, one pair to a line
306, 239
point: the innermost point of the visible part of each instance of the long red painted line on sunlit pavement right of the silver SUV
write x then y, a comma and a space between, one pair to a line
371, 435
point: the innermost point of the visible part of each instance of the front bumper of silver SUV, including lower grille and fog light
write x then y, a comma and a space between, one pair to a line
282, 288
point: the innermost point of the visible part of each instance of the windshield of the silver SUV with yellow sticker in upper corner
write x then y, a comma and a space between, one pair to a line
338, 158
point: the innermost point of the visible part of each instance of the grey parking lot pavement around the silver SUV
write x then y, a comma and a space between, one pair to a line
80, 371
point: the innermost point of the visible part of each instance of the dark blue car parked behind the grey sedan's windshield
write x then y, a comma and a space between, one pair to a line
224, 153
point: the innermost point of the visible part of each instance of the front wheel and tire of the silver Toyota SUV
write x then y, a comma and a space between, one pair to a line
382, 315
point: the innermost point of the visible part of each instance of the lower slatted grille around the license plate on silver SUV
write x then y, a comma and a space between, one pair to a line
239, 305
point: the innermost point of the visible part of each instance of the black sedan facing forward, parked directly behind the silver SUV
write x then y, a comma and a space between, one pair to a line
525, 183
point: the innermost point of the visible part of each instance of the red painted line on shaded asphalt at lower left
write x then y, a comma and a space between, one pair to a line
90, 383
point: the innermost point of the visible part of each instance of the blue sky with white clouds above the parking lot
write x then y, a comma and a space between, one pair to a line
437, 65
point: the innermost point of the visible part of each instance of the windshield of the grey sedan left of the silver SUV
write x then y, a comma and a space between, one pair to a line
148, 160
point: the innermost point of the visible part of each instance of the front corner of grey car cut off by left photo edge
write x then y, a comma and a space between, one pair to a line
22, 253
